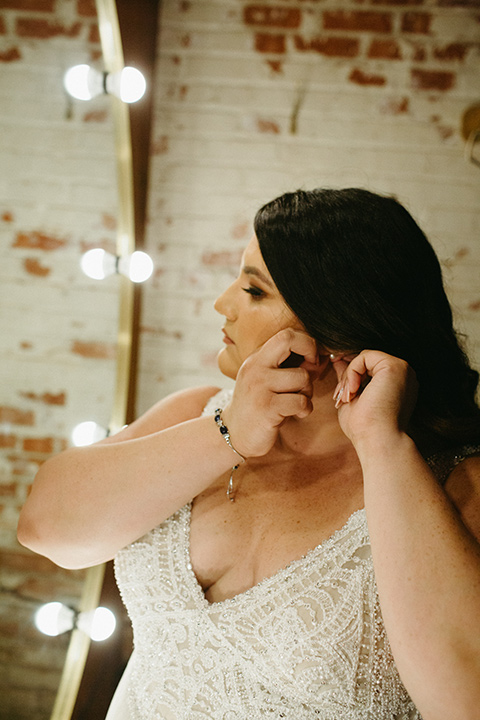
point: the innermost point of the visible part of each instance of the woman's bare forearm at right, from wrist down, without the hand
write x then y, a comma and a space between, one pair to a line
427, 567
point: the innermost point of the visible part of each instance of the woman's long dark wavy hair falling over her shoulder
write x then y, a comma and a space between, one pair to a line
360, 274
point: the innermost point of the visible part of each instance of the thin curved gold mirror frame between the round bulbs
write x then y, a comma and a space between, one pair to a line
112, 52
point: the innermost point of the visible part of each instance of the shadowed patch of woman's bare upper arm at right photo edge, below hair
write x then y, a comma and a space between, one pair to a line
463, 489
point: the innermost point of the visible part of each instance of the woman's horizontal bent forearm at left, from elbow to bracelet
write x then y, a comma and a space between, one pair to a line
87, 503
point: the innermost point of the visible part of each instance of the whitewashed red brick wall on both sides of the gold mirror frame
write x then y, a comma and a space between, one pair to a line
252, 99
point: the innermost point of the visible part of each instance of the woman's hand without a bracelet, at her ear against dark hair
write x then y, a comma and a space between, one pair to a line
376, 393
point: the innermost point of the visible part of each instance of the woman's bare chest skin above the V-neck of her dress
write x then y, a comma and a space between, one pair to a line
277, 517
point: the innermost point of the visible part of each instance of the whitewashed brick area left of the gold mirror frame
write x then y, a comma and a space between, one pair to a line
58, 329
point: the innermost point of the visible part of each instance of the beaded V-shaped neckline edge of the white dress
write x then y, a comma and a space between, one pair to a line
357, 518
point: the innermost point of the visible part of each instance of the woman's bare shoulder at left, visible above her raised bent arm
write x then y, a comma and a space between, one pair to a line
171, 410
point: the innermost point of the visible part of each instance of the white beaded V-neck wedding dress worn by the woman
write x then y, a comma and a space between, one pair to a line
306, 643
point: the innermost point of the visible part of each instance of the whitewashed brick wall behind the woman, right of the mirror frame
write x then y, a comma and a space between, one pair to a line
257, 98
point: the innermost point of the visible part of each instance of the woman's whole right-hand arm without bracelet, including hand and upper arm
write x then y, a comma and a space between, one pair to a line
425, 547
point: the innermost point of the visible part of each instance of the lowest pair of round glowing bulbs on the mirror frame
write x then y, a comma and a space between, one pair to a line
55, 618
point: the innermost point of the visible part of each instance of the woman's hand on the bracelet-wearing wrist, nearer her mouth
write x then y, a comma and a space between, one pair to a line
266, 394
